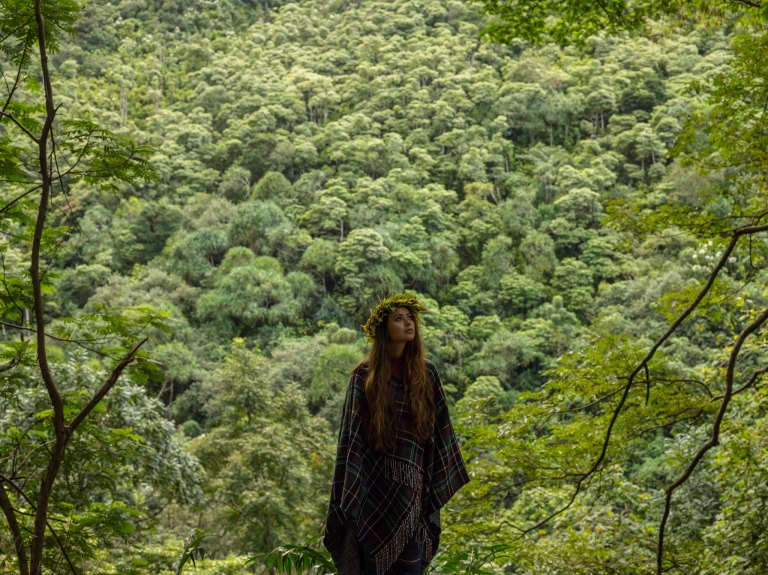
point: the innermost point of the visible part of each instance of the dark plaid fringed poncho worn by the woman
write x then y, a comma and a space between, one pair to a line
390, 498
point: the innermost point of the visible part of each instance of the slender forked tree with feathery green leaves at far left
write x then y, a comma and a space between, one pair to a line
43, 153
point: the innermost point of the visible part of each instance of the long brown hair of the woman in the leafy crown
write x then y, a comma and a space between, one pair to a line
380, 409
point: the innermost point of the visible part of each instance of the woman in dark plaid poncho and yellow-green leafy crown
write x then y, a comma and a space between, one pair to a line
398, 461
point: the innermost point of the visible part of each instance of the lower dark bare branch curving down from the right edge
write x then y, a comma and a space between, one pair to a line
714, 438
